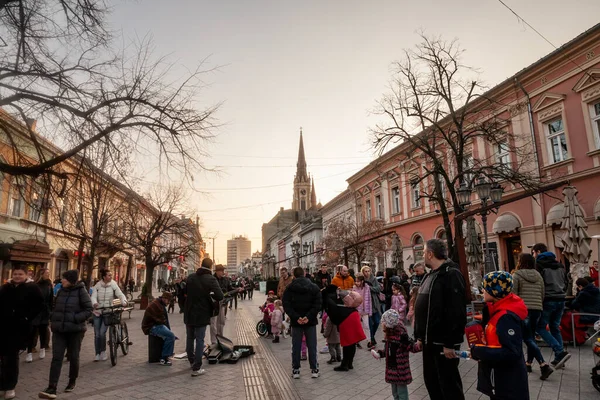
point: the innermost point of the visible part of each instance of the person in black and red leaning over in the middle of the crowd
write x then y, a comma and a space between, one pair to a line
347, 320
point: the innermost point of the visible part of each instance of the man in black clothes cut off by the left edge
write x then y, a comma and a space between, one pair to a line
20, 302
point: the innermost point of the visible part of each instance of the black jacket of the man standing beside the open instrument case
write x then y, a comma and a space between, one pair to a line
198, 303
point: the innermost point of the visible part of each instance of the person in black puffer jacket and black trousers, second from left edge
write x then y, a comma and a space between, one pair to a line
68, 323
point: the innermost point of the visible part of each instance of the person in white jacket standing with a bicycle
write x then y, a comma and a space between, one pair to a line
103, 294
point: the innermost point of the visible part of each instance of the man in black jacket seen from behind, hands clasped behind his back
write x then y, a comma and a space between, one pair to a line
302, 303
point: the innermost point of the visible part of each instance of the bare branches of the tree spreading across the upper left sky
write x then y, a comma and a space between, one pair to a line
61, 77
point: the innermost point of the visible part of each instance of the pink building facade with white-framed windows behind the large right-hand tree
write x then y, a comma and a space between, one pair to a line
555, 103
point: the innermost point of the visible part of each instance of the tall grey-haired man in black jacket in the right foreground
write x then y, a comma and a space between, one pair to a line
440, 319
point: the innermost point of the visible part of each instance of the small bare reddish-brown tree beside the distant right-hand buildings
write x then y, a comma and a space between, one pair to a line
347, 233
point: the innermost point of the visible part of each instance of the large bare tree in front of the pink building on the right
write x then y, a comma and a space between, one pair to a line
439, 110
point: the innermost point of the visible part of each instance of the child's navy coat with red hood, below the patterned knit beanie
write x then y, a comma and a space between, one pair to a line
502, 374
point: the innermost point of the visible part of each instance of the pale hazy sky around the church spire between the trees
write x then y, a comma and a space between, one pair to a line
320, 65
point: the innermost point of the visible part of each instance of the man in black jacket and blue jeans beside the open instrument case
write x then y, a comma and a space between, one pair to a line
198, 311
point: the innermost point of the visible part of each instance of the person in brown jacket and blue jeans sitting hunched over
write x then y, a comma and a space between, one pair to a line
156, 323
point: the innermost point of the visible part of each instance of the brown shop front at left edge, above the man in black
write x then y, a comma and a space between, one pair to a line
31, 254
